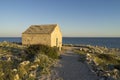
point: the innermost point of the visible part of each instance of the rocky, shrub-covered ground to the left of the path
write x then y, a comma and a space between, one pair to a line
19, 62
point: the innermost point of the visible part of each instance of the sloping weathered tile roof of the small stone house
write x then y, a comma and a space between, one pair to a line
40, 29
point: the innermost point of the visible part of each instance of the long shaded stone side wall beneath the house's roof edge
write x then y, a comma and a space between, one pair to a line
30, 39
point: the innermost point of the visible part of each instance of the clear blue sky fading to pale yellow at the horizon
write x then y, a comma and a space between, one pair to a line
77, 18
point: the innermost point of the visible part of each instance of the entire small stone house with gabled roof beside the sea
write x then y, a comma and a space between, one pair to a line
43, 34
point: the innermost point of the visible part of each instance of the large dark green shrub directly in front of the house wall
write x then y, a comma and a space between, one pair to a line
33, 50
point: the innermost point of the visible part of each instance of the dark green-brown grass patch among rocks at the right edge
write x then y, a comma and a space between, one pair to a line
104, 60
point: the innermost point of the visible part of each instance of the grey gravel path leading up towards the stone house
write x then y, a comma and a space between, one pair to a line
69, 68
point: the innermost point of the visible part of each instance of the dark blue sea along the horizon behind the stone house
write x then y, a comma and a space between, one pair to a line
110, 42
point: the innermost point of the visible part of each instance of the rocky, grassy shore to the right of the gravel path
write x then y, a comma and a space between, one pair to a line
103, 61
